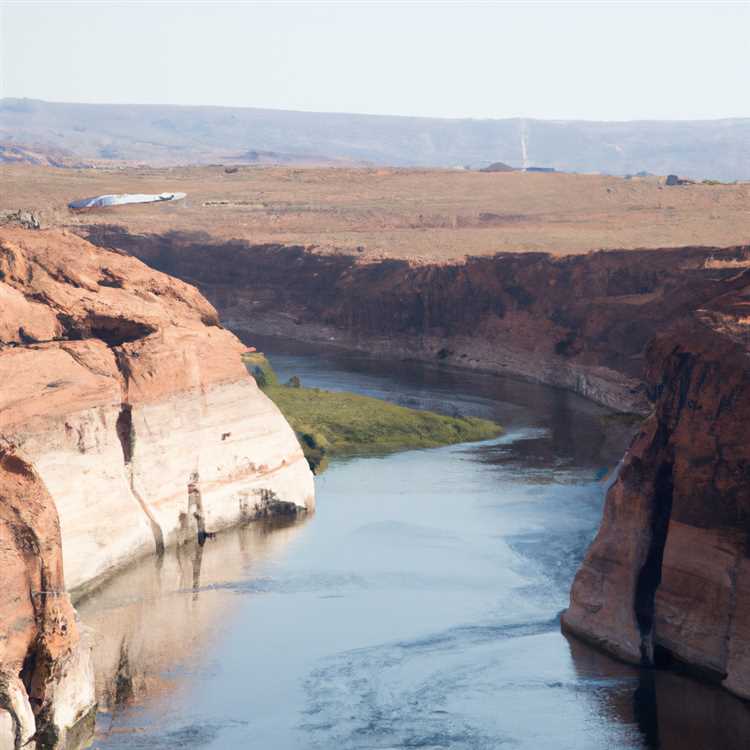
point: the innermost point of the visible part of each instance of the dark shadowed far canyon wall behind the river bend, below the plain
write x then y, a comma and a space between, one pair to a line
580, 322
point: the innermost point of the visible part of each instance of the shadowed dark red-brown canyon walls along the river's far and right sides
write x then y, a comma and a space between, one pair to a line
662, 333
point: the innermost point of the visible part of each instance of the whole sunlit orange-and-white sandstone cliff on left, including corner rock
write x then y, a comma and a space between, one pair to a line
127, 423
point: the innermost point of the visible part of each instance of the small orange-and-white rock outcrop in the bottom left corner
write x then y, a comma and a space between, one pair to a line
46, 685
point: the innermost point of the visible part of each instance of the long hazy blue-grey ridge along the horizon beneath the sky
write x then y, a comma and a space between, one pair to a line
718, 149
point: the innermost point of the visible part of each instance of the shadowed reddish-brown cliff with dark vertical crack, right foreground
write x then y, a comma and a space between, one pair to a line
667, 578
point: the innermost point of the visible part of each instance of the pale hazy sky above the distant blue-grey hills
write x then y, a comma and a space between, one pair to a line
623, 60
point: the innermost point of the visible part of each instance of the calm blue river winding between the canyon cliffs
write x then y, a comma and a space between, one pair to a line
417, 608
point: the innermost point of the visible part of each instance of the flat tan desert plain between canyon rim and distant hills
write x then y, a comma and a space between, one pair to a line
413, 214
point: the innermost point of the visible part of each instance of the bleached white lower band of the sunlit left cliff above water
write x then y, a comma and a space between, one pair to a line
229, 439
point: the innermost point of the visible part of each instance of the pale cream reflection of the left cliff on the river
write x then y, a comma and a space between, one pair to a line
151, 624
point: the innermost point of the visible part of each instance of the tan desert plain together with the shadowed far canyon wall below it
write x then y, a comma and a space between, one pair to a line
493, 271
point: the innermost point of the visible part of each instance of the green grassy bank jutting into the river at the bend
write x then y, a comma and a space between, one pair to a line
339, 424
